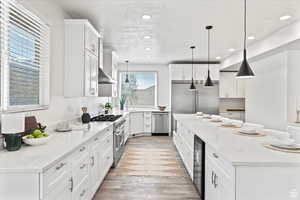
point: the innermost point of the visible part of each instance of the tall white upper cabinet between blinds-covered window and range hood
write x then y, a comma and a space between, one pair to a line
83, 46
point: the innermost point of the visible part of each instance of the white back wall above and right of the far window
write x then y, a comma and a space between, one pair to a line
163, 82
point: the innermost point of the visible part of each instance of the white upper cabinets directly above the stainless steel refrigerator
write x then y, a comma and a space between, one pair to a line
184, 71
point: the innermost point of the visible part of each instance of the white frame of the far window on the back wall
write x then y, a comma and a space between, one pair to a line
139, 71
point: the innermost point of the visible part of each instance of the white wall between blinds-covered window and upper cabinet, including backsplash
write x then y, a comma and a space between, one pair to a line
60, 108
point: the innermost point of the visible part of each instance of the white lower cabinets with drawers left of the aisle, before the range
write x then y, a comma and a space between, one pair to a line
78, 176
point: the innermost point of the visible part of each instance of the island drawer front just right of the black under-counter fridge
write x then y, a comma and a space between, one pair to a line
220, 161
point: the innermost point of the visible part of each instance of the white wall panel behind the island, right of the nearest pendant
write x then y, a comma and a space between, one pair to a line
266, 94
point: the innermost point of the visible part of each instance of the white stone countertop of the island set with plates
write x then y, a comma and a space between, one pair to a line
238, 150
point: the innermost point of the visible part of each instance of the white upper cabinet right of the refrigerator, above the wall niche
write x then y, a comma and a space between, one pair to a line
230, 86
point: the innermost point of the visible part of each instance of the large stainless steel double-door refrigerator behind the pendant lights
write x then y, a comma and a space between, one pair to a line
204, 99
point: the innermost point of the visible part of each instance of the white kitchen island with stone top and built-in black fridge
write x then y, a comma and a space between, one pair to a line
237, 167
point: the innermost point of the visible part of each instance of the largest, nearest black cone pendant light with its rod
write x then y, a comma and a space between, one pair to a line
245, 70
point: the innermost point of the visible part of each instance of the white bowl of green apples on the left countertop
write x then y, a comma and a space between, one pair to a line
37, 137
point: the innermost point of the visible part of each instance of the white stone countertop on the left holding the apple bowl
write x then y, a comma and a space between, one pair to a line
36, 159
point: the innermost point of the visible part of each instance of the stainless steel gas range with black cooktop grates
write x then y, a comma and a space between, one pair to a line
118, 133
